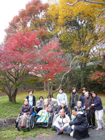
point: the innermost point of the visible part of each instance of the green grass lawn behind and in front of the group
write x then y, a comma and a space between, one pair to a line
11, 110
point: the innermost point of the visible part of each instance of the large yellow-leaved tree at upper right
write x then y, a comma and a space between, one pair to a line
79, 27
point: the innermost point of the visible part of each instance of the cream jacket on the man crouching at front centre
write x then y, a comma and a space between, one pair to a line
62, 120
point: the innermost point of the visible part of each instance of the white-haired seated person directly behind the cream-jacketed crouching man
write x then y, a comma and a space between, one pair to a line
58, 108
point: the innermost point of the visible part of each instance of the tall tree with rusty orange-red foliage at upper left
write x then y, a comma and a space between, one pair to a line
32, 18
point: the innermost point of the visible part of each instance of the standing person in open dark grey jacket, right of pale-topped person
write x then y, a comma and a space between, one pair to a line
74, 97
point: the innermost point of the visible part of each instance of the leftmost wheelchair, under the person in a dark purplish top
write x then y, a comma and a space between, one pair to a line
29, 125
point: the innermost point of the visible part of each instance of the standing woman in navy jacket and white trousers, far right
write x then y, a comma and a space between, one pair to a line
97, 104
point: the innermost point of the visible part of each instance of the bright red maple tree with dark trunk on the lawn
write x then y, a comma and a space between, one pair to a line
22, 54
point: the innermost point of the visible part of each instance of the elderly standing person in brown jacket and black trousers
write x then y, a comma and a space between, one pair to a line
89, 110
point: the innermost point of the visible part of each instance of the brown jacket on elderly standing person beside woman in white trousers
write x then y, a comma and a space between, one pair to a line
88, 102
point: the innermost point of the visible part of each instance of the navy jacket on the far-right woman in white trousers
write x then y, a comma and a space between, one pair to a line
97, 103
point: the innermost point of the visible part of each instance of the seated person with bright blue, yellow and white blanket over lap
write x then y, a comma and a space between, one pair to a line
44, 113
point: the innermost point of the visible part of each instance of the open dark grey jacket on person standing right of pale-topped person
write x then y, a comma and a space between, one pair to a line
76, 98
